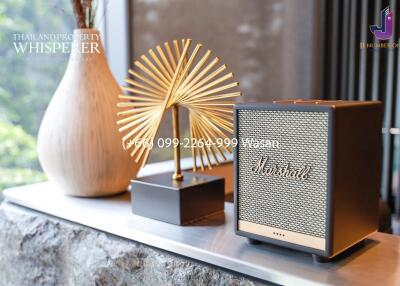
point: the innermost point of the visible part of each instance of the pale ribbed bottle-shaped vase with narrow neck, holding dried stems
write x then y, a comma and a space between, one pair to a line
79, 145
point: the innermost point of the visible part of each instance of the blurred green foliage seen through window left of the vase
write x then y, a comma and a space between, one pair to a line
27, 82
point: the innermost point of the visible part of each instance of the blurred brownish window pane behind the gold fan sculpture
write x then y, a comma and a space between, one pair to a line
268, 45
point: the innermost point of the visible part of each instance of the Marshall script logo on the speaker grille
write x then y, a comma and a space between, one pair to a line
285, 171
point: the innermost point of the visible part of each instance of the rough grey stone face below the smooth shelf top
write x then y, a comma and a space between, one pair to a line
37, 249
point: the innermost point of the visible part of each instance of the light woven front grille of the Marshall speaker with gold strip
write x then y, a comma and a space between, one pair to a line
282, 161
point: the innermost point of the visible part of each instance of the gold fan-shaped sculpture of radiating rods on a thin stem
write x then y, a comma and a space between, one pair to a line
176, 78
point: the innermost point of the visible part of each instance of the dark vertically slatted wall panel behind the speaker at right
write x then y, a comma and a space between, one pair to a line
355, 73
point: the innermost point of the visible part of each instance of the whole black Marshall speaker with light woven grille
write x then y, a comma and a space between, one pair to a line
307, 173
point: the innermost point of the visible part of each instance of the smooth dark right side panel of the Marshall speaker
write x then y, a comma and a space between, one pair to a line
357, 173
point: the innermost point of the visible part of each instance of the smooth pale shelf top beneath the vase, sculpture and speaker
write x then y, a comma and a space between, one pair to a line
213, 241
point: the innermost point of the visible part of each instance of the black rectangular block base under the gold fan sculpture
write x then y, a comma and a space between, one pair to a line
177, 202
